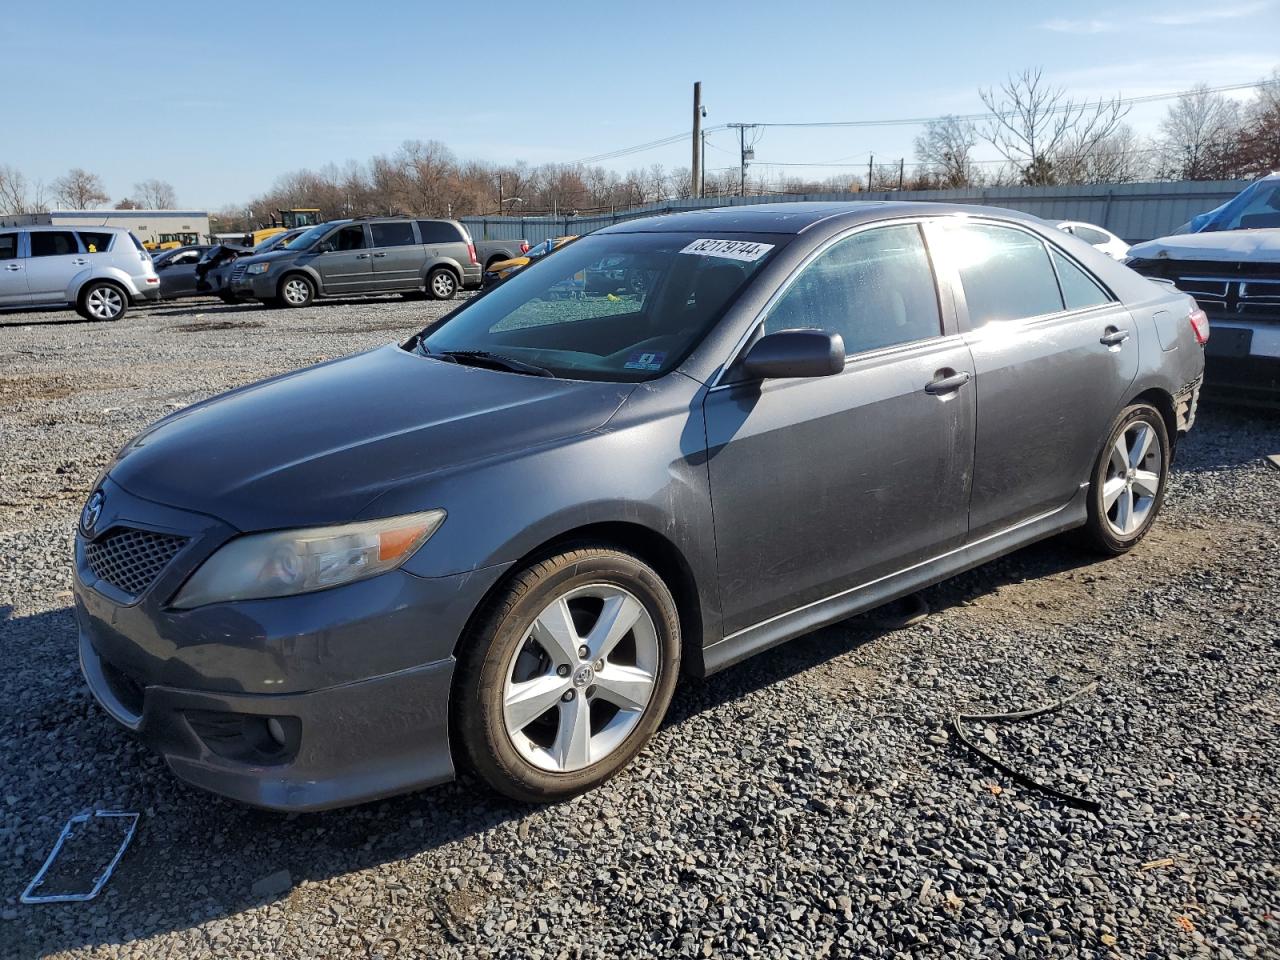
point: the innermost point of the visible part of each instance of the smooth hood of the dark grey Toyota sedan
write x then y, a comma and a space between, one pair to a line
318, 445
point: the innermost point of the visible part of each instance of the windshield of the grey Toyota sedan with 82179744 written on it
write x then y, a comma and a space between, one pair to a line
615, 307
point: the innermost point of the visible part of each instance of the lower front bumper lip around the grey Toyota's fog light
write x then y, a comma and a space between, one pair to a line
358, 742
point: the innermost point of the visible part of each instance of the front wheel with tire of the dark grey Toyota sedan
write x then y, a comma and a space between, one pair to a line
532, 746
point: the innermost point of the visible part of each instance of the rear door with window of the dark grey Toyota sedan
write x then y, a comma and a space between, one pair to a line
1055, 354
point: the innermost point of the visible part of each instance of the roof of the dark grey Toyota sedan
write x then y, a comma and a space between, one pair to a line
797, 218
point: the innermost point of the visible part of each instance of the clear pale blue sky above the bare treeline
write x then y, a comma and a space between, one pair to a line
220, 100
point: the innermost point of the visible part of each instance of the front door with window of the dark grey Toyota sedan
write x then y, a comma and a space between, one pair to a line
820, 486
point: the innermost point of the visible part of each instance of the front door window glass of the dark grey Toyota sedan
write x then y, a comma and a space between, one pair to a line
875, 289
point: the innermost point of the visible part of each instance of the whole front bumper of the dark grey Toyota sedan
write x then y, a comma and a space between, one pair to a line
358, 676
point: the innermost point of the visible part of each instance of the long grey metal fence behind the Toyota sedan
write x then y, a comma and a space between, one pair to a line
1136, 212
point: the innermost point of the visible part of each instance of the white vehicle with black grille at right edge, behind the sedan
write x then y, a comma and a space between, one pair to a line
1229, 260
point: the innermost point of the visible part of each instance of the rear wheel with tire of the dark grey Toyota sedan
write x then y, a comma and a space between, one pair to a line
1124, 496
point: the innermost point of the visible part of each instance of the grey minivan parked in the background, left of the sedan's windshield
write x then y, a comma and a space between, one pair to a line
368, 255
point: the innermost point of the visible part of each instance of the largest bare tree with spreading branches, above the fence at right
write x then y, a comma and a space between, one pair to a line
1032, 122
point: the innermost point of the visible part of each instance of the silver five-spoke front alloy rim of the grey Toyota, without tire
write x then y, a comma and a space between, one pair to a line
582, 679
